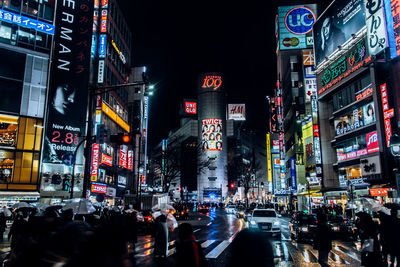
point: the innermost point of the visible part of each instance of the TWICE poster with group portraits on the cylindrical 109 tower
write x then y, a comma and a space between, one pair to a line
211, 134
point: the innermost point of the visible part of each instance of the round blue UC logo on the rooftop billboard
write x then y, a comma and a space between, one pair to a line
299, 20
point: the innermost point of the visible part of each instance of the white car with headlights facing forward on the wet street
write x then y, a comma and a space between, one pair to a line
266, 220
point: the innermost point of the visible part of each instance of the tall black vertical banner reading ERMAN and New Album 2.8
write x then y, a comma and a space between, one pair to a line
68, 89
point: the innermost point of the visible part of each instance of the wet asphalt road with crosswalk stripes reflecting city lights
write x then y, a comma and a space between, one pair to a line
216, 238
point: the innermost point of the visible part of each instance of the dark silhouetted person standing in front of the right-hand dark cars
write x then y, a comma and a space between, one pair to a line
323, 240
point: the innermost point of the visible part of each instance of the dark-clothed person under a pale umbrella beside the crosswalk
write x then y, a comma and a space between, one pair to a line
161, 240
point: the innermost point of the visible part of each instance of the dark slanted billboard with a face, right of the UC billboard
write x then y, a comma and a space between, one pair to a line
337, 25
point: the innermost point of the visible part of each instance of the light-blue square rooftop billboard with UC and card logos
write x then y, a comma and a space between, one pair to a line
294, 25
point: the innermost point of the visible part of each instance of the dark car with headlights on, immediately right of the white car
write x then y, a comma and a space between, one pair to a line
302, 227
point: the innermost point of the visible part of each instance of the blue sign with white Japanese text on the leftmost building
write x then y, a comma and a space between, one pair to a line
26, 22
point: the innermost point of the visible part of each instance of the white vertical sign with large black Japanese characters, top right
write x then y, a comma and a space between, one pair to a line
376, 30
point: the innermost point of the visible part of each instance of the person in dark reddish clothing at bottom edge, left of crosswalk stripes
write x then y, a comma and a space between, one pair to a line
189, 252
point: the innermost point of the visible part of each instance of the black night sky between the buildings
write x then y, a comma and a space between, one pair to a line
178, 40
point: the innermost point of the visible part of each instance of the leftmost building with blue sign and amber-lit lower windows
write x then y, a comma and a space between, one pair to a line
26, 34
